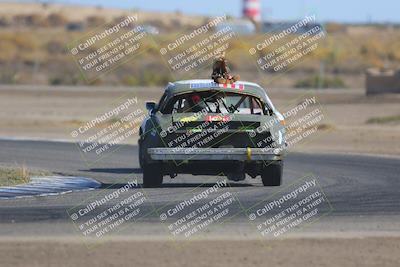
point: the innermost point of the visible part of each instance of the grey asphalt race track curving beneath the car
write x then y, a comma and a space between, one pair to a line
363, 191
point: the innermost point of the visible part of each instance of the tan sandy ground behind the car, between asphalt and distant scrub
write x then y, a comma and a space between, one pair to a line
53, 112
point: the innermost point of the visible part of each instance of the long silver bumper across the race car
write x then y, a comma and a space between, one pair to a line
215, 154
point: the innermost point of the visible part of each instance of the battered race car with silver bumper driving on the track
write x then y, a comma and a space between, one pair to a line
201, 127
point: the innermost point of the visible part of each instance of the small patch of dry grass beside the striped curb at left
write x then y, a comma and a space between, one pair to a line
17, 175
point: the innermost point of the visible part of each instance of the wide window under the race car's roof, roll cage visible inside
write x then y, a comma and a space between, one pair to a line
214, 102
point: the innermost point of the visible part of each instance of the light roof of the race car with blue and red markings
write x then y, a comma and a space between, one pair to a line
205, 84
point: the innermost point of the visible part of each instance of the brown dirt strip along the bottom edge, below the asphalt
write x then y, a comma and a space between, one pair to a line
373, 251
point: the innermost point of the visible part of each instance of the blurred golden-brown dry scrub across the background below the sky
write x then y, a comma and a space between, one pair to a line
39, 55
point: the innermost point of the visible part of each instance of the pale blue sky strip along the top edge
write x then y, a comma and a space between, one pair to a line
326, 10
